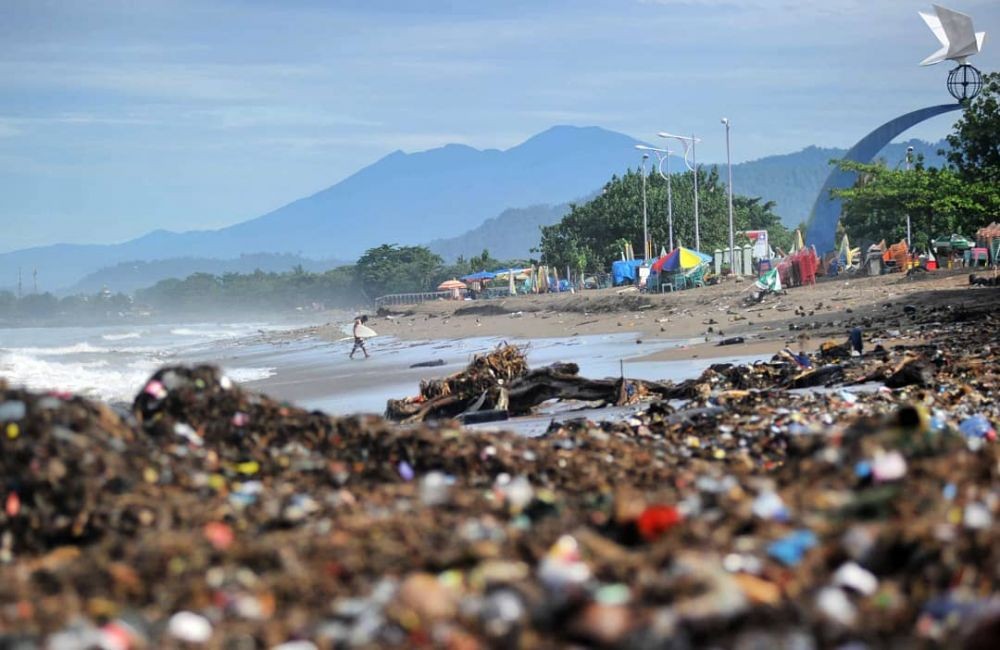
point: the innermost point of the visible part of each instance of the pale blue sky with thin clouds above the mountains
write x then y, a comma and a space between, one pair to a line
118, 117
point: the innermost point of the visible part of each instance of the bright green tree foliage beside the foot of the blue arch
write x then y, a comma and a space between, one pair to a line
938, 201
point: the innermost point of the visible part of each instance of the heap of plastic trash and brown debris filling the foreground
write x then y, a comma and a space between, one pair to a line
749, 515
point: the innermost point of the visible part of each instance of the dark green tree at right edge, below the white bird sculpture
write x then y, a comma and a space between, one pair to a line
975, 144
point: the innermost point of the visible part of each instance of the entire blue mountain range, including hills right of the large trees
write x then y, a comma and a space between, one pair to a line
455, 198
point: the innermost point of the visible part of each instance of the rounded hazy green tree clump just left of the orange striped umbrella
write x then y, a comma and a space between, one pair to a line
391, 268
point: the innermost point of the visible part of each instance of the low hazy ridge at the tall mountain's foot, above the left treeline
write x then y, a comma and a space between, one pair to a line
129, 276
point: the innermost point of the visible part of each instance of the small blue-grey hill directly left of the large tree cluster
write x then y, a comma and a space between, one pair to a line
509, 236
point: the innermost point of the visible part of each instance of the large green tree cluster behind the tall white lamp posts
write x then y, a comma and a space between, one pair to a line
592, 233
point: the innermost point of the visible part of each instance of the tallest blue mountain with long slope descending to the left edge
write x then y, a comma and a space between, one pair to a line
402, 198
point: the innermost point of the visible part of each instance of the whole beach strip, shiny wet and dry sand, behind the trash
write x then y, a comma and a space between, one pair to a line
658, 337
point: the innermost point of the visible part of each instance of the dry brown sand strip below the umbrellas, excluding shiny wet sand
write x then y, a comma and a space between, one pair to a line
695, 320
